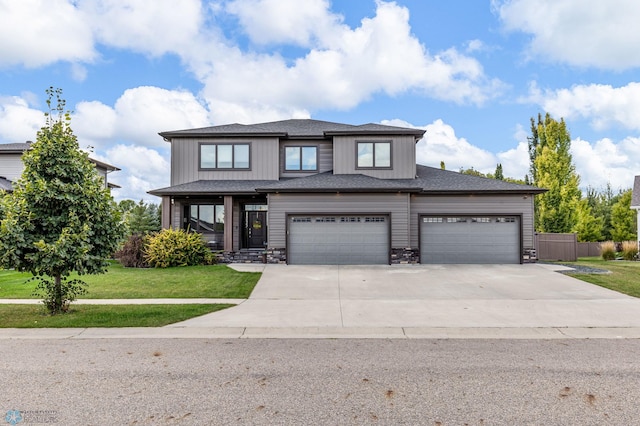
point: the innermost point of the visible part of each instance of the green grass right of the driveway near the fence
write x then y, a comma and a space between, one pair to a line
624, 276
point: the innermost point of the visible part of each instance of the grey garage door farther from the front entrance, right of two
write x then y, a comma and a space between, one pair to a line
477, 239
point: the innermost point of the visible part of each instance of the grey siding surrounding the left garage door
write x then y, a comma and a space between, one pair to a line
396, 205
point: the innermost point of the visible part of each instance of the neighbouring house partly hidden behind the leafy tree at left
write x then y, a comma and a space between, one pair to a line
11, 165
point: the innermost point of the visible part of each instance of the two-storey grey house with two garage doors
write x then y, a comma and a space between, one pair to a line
315, 192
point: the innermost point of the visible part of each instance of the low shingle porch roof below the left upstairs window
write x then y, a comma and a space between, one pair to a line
209, 187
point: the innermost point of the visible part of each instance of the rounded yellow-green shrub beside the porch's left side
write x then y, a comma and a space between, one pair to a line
172, 247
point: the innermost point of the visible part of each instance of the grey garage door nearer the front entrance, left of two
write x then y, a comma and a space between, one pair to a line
338, 240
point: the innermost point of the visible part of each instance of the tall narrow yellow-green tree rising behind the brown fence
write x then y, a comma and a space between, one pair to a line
553, 170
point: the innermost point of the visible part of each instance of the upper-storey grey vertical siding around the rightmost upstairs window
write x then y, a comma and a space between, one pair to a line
403, 156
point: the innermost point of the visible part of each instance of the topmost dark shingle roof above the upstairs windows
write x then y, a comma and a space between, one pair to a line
294, 128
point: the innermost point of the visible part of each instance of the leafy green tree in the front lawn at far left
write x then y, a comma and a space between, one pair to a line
60, 217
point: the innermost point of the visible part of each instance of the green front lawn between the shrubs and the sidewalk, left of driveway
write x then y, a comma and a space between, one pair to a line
216, 281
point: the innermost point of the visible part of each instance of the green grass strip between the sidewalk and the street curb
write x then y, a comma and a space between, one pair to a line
34, 316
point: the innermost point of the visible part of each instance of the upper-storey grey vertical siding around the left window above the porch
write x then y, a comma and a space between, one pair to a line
185, 162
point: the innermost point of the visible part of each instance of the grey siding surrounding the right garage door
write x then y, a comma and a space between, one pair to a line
472, 205
